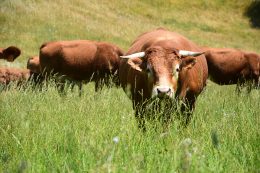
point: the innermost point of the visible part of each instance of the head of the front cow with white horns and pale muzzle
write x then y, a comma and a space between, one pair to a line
162, 67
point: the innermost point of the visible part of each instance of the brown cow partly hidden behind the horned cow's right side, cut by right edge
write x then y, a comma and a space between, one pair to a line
231, 66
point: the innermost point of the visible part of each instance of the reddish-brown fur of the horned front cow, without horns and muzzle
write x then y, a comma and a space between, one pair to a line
161, 47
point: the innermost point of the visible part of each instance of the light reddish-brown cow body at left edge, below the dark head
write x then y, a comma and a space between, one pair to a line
8, 75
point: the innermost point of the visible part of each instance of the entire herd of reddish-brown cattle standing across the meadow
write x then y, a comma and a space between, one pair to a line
159, 64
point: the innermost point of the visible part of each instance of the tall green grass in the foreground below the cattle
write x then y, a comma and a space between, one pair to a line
46, 132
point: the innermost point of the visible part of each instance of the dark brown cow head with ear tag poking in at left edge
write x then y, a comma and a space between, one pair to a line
10, 53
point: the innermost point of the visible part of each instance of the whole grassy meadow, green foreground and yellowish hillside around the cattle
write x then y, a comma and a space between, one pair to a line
97, 132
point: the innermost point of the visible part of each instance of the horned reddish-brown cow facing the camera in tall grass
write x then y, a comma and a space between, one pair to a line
162, 64
